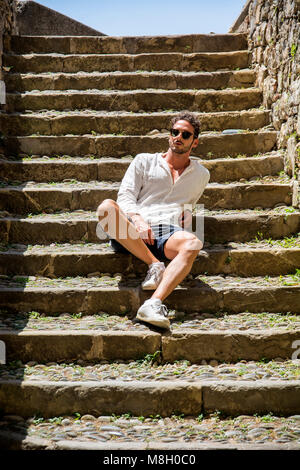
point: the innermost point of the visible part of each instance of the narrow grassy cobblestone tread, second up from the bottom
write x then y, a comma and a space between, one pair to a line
148, 368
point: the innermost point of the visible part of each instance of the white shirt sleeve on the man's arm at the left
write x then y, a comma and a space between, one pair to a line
131, 185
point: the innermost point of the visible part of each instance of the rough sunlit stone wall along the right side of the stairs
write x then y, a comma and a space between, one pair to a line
273, 28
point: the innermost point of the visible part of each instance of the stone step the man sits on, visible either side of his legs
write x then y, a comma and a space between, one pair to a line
272, 258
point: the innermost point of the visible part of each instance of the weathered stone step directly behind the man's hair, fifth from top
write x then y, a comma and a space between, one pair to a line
87, 122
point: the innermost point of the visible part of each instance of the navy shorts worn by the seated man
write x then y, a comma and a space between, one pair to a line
162, 233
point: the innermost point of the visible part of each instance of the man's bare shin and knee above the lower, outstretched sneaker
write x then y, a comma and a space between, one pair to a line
182, 248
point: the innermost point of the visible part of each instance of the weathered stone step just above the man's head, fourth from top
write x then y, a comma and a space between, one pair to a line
147, 100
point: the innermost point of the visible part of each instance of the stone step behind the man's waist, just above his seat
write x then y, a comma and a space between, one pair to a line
219, 226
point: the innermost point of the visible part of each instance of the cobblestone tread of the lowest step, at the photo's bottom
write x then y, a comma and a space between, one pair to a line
213, 428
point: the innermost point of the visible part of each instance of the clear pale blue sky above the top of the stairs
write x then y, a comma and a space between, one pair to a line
151, 17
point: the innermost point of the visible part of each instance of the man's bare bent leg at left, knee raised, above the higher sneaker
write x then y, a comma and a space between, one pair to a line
117, 224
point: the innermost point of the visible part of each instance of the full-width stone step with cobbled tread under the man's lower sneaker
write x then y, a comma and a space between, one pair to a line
33, 337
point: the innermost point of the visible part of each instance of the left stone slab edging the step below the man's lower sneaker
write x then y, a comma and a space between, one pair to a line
74, 345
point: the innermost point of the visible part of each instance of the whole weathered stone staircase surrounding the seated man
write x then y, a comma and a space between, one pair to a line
78, 110
